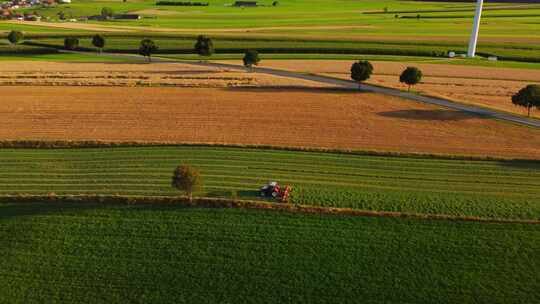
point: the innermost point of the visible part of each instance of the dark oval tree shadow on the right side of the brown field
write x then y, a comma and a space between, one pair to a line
434, 115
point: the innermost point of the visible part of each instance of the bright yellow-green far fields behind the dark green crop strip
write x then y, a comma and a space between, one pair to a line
508, 22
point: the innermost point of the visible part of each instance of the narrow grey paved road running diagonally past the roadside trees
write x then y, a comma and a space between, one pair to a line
352, 85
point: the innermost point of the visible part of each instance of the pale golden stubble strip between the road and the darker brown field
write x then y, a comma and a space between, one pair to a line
134, 74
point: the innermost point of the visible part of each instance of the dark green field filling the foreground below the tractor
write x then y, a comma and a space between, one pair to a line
155, 254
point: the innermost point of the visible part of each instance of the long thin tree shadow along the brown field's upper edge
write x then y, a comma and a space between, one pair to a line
294, 89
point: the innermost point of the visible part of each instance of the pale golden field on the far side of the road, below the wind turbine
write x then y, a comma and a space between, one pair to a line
484, 86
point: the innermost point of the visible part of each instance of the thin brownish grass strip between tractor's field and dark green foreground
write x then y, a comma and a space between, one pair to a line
206, 202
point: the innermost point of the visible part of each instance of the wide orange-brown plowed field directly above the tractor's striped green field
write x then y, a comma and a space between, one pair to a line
300, 118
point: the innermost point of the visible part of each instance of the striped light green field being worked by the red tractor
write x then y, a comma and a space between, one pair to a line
488, 189
